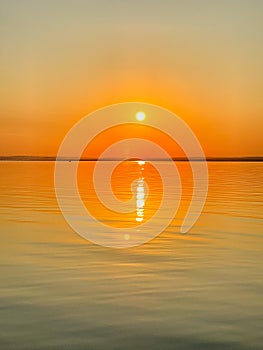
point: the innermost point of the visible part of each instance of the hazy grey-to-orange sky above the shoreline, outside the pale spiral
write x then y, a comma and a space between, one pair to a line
62, 59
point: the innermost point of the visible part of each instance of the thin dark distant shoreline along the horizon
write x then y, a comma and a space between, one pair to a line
175, 159
